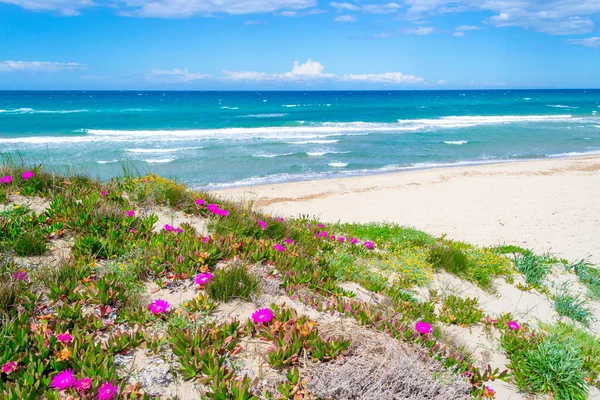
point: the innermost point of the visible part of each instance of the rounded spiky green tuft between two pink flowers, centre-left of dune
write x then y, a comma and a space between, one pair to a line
232, 283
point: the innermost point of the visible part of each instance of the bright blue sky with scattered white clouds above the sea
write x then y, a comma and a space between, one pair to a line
299, 44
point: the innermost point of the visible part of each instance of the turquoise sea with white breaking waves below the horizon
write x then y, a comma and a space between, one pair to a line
214, 139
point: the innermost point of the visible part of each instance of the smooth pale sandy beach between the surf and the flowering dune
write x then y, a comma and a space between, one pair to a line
546, 205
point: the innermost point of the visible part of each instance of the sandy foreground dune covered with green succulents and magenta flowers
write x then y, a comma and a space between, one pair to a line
142, 288
